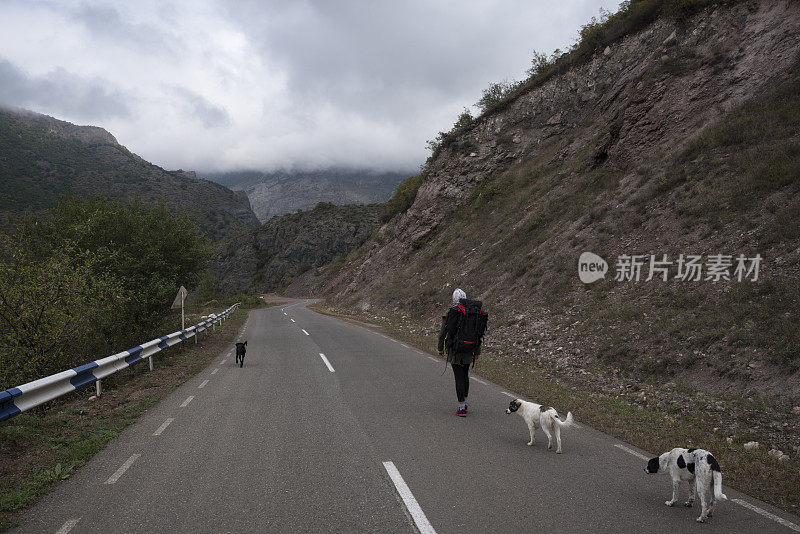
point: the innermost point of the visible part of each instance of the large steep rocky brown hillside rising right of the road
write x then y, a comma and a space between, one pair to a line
681, 138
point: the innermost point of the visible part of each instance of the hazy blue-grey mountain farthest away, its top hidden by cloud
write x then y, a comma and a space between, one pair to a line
277, 193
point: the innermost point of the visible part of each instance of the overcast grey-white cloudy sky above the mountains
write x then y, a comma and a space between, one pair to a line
212, 85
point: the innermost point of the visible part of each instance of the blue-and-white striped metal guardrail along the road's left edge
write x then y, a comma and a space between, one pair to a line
14, 401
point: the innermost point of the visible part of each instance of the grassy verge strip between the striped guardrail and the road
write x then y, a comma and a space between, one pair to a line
45, 445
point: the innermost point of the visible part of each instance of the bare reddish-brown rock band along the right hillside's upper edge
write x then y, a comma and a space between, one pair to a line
633, 104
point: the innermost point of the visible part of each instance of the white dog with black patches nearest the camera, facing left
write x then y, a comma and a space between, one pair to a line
696, 466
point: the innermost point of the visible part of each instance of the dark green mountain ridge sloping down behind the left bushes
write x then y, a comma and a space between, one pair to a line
42, 158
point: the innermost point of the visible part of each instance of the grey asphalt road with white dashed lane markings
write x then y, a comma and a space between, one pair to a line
364, 440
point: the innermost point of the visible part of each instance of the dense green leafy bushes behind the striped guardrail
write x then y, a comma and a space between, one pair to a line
88, 280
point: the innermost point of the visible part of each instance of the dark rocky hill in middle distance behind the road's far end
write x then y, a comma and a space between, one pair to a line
271, 256
